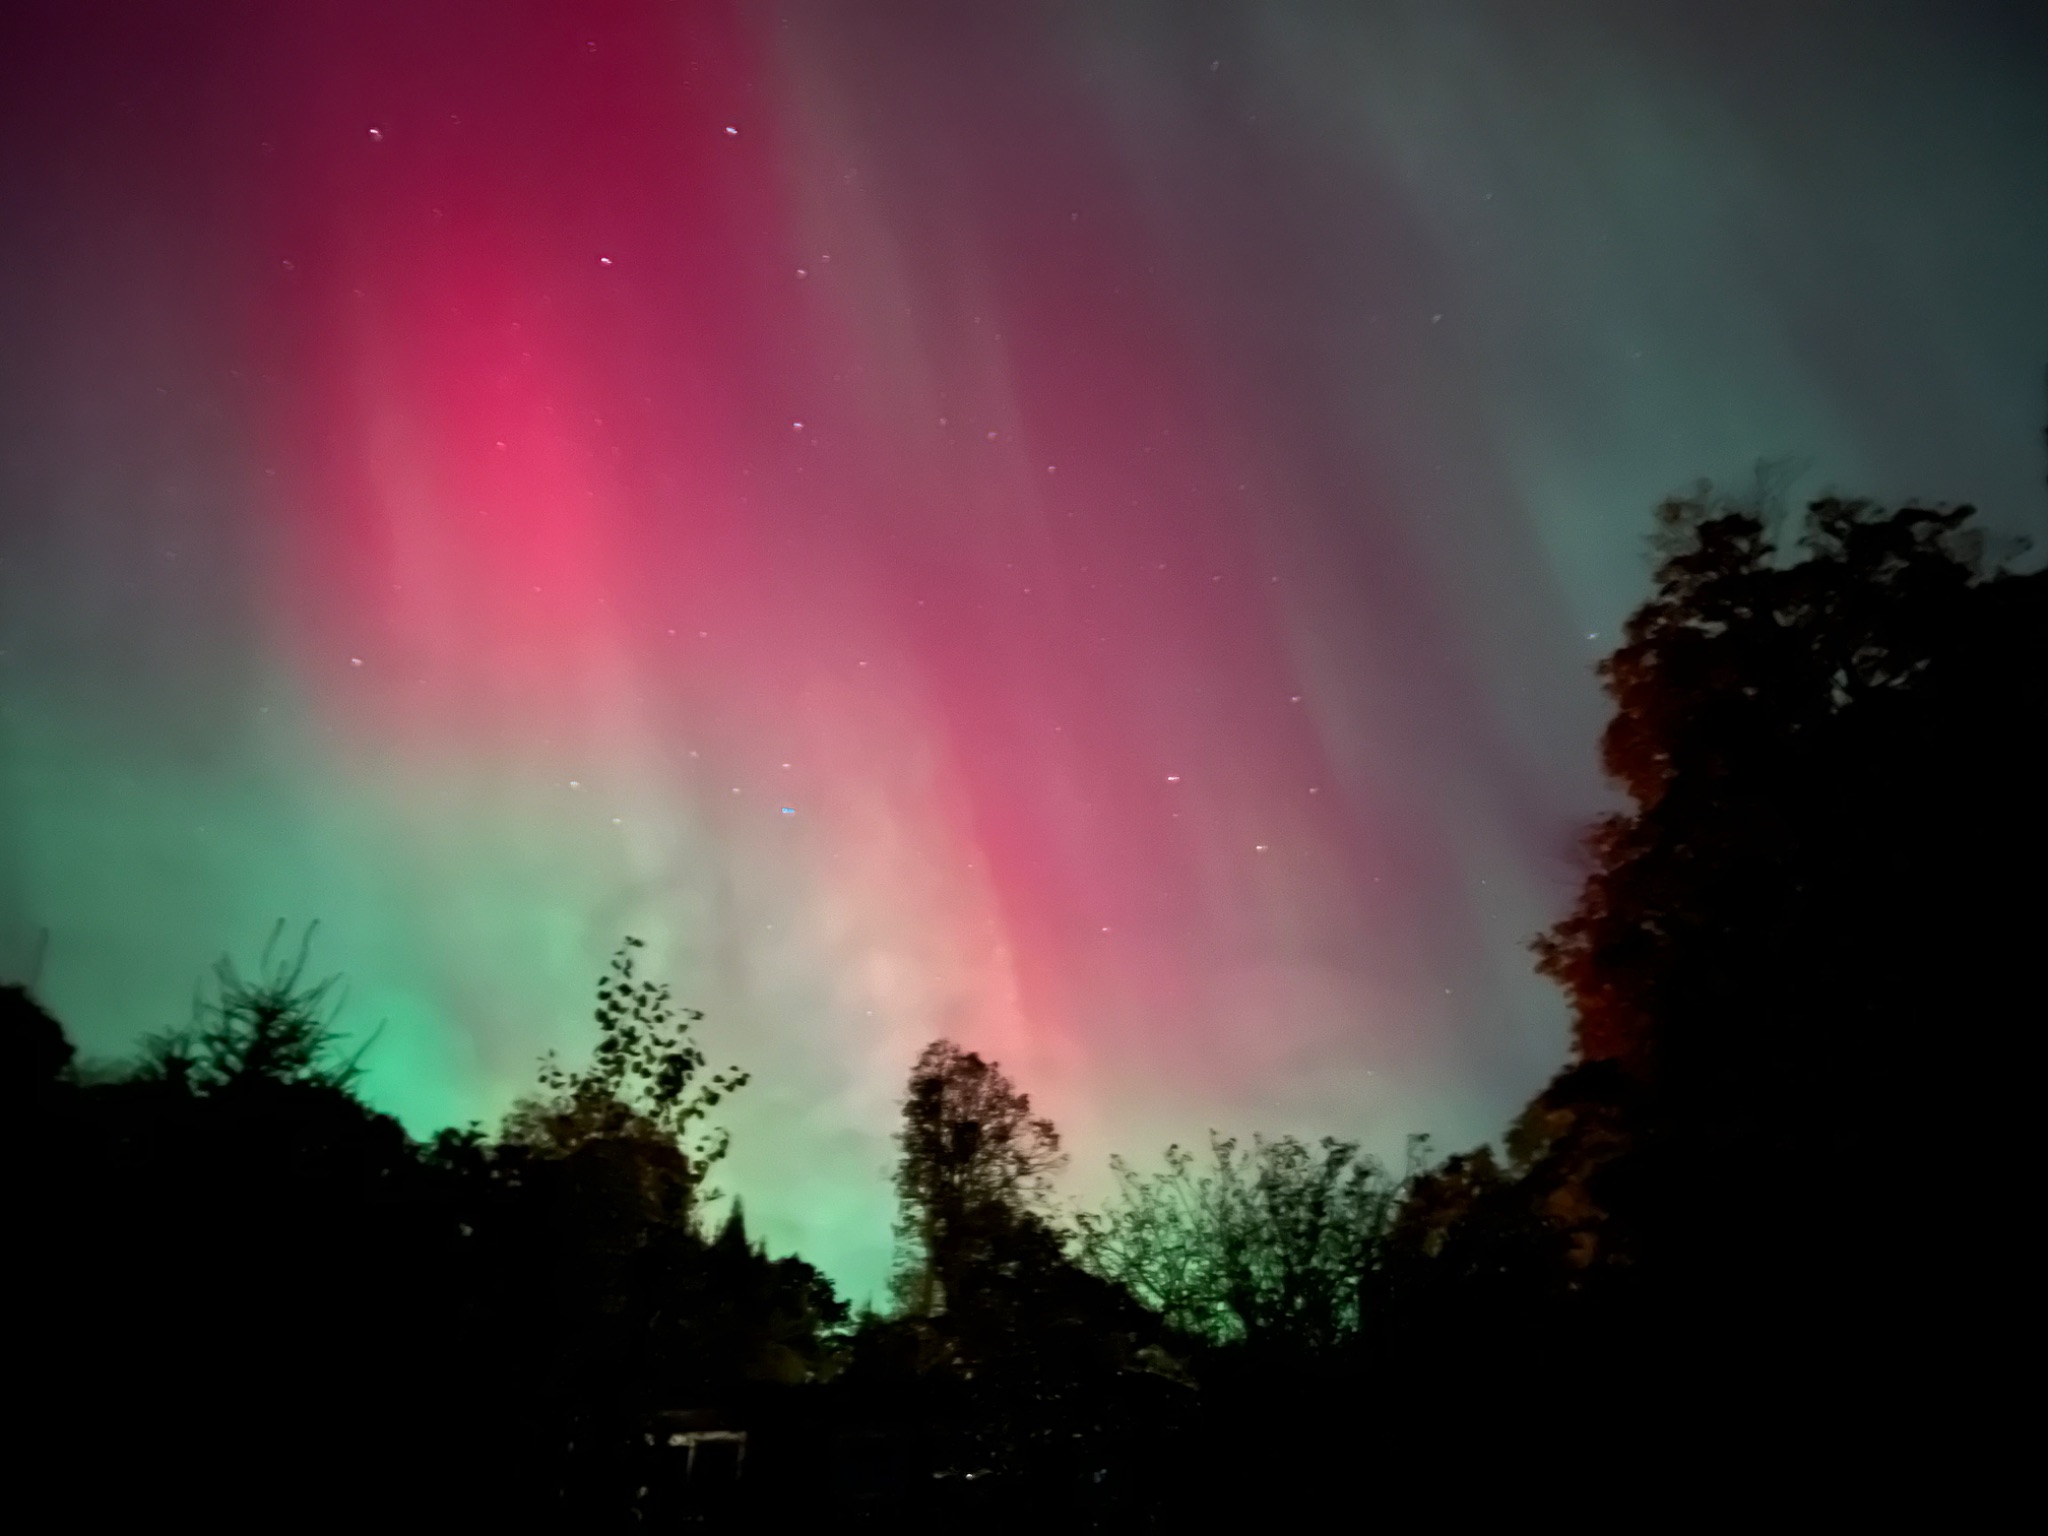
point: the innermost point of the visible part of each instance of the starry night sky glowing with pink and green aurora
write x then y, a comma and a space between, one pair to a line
1076, 527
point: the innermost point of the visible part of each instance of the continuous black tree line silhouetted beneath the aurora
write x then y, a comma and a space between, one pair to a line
1756, 1211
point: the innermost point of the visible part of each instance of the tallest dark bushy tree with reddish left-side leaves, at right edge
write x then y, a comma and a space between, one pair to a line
1828, 847
